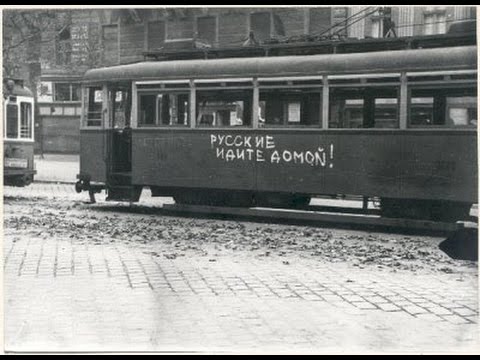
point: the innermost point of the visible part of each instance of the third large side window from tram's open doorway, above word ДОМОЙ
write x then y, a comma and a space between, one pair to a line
294, 103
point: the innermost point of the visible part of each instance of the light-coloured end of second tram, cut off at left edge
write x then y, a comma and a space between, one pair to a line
18, 134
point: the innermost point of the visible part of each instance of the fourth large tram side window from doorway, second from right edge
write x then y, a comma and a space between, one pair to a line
363, 108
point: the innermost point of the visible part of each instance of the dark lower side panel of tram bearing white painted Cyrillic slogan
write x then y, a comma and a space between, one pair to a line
396, 164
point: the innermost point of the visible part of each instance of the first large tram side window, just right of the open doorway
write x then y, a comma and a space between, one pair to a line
164, 109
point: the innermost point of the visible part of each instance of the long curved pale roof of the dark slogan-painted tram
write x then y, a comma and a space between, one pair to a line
437, 59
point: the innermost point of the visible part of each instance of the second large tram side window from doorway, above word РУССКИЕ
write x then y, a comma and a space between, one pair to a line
221, 108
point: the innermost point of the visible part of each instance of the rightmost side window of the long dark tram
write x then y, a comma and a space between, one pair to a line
443, 107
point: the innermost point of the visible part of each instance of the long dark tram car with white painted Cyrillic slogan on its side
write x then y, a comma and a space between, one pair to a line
398, 126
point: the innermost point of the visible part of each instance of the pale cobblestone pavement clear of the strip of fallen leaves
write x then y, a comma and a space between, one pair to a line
63, 294
